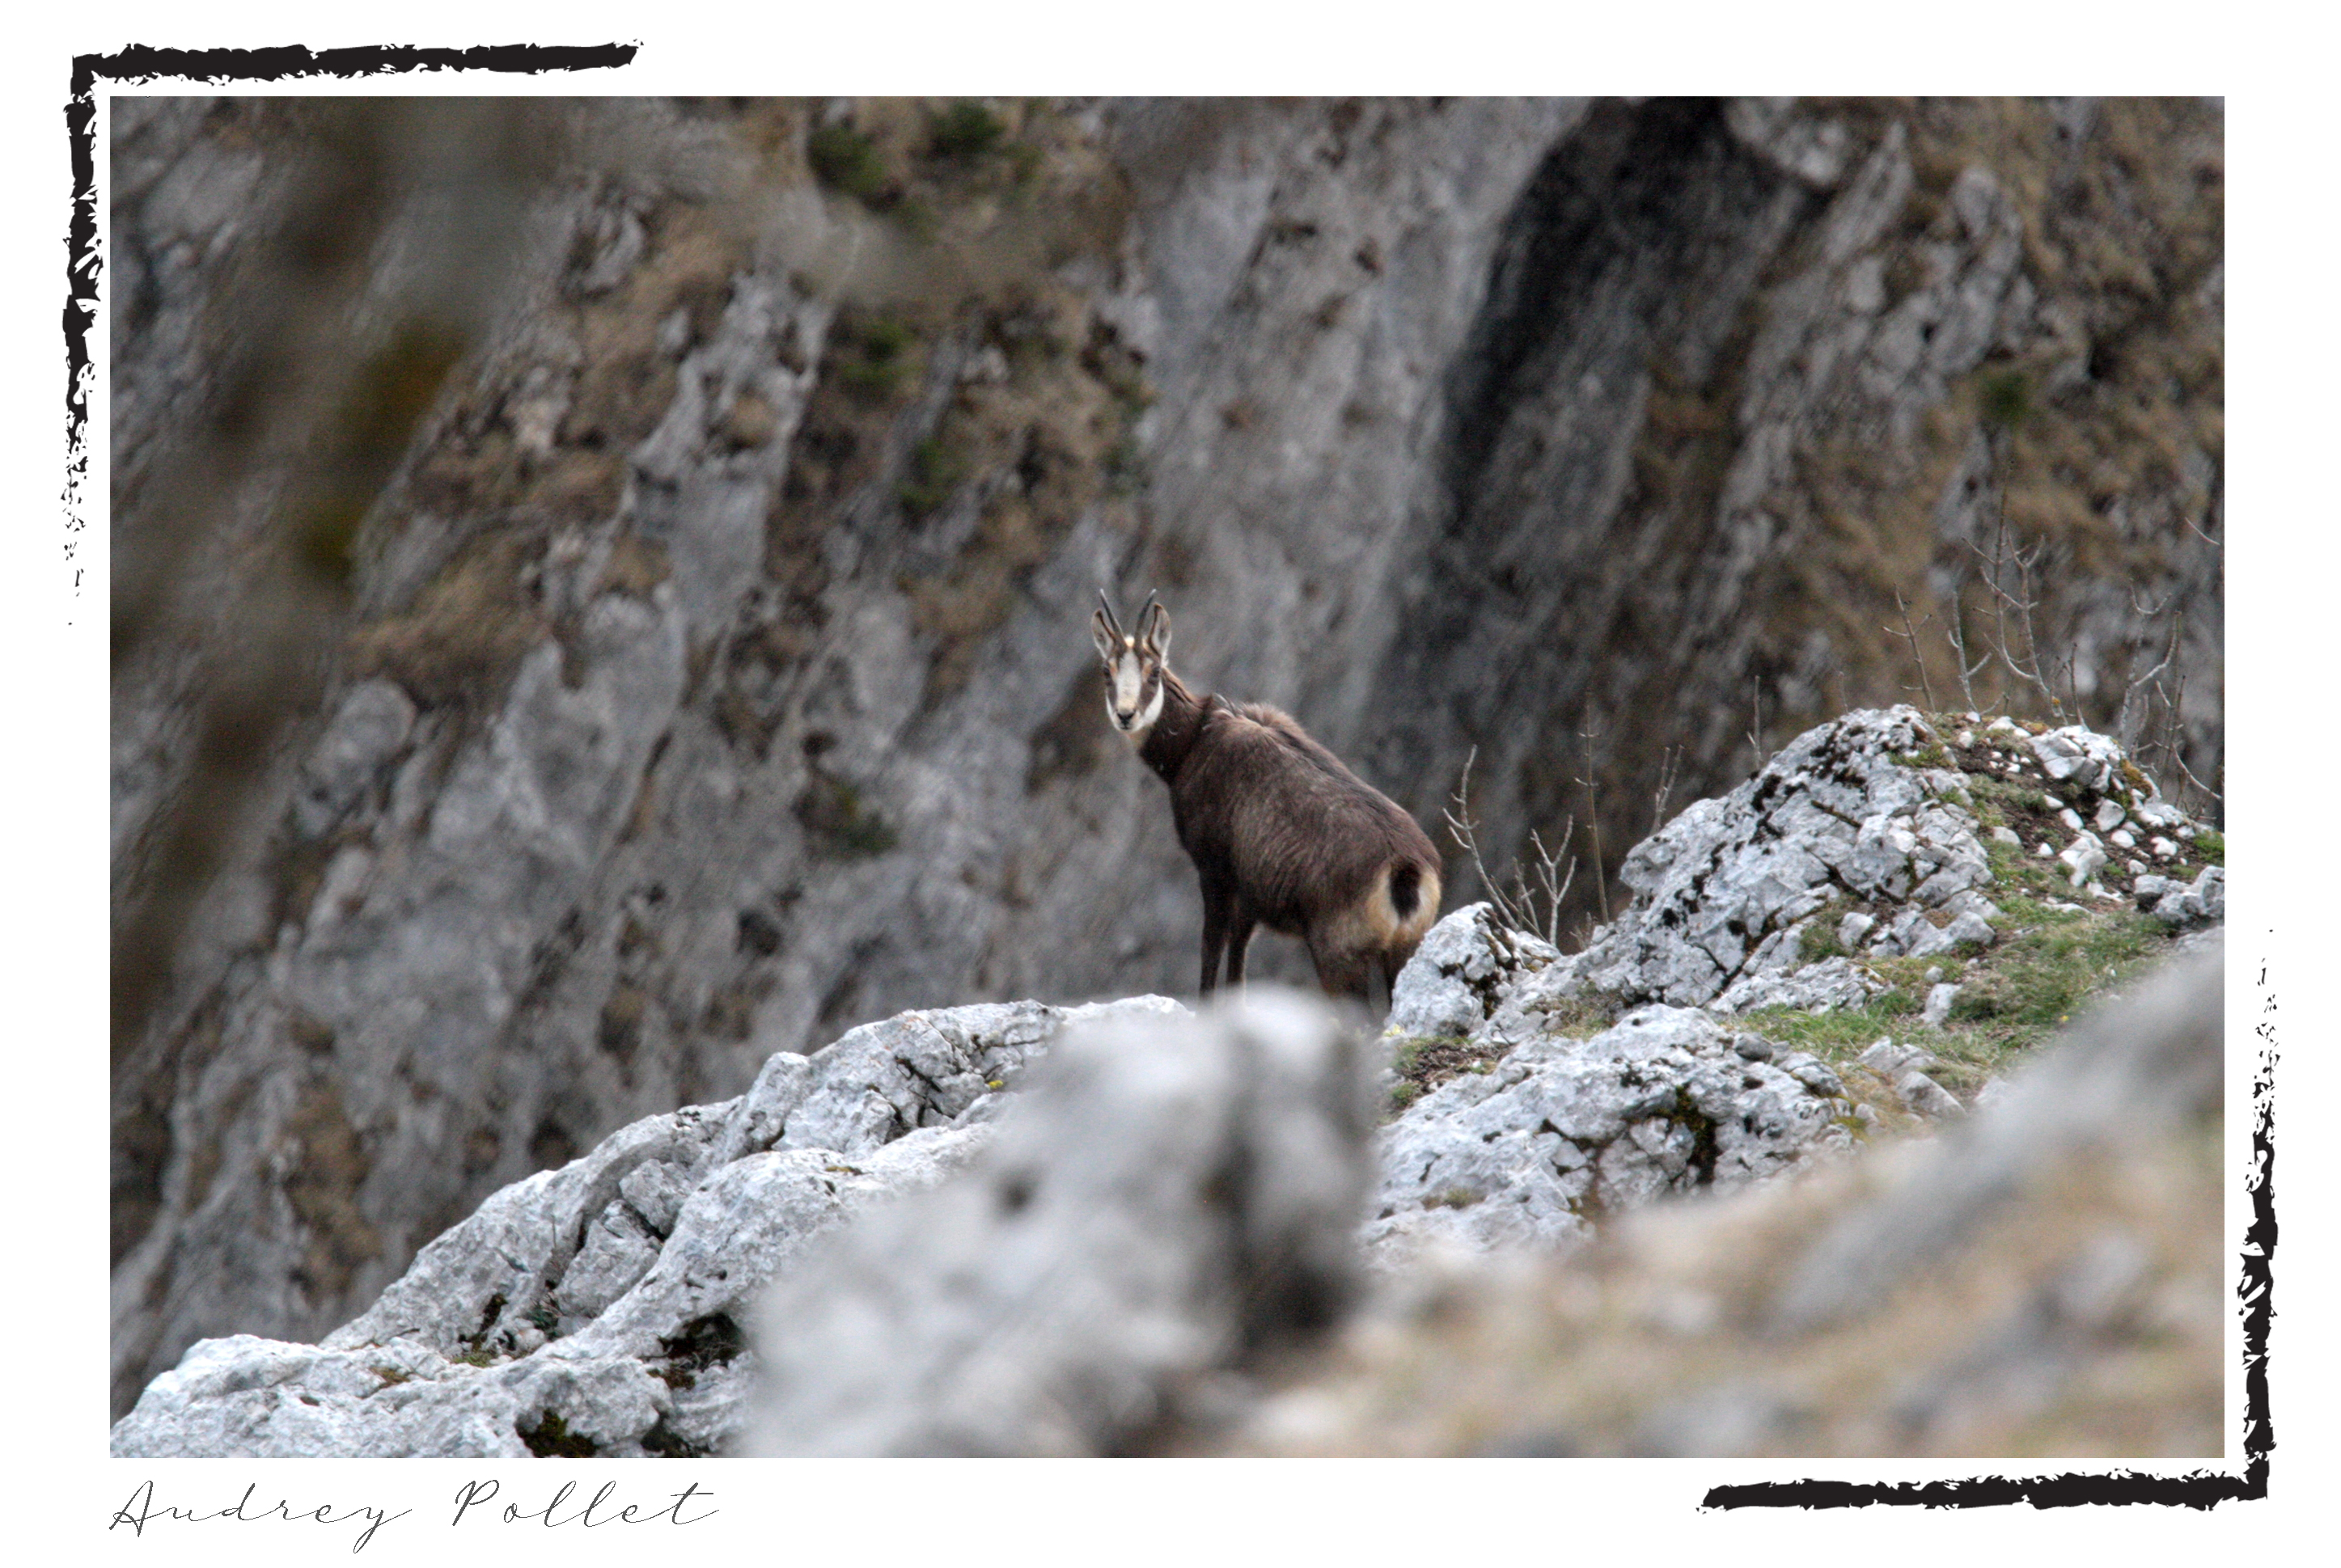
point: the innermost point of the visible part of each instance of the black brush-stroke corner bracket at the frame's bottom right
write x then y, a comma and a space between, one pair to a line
2197, 1490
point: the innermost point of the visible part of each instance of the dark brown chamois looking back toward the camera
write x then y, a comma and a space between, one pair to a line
1279, 832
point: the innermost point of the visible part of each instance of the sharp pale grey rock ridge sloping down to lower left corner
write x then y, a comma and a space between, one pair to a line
600, 1307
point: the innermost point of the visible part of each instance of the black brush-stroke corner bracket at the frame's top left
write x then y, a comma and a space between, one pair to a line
146, 64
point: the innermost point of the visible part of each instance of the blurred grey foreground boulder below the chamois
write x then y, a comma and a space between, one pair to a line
1174, 1199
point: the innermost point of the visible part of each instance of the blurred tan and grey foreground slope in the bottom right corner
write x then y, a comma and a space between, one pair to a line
2050, 1270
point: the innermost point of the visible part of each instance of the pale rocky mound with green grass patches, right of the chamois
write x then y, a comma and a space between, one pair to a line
1888, 907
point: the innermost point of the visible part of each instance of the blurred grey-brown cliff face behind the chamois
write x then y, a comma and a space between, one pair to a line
713, 673
